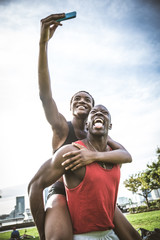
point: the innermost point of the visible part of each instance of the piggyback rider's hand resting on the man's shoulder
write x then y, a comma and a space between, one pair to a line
78, 158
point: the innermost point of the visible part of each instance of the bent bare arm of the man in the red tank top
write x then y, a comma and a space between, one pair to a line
48, 173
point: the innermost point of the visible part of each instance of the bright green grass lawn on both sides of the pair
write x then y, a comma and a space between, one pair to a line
147, 220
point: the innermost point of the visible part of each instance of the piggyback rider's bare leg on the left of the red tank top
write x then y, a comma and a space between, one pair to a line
57, 221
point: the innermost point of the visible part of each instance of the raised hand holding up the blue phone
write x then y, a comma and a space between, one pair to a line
49, 25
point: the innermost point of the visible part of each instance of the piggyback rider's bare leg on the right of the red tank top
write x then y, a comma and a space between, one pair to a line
123, 228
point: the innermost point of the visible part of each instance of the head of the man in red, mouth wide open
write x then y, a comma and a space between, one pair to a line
99, 120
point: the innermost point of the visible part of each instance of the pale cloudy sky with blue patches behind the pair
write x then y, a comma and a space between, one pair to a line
111, 49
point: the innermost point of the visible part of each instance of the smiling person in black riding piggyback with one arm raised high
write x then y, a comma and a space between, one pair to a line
57, 219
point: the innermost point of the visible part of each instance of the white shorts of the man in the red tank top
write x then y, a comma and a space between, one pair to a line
101, 235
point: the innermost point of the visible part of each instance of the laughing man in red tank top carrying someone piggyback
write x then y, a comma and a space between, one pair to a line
91, 190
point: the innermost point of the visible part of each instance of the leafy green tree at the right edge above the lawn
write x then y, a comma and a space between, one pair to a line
144, 182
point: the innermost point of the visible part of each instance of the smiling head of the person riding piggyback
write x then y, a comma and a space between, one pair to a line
81, 104
